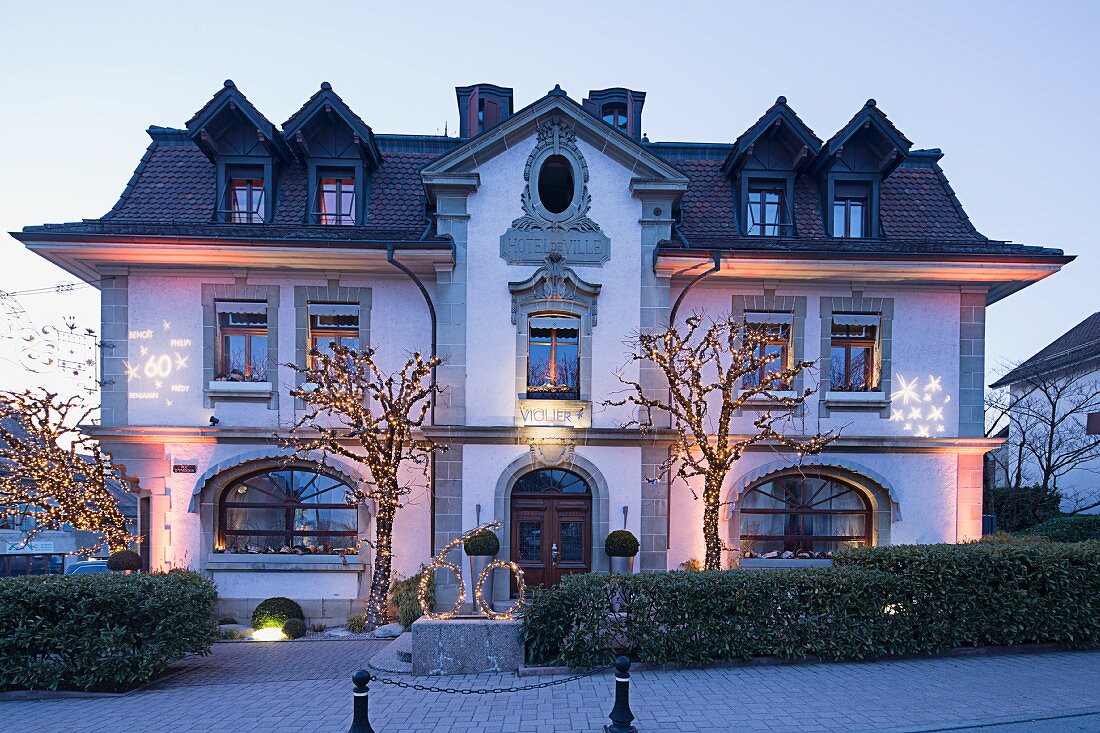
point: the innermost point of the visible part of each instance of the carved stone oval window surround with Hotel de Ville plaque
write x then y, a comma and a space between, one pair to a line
541, 232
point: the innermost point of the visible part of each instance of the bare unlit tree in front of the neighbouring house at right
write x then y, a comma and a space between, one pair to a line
1046, 415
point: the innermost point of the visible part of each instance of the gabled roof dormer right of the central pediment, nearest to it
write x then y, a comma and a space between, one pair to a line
764, 165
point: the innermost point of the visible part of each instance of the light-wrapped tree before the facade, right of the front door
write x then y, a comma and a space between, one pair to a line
706, 367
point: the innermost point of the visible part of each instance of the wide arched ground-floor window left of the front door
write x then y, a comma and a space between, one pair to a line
288, 510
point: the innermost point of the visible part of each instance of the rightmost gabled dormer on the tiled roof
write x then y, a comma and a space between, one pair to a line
851, 168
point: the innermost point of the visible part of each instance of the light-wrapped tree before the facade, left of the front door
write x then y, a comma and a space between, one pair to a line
358, 412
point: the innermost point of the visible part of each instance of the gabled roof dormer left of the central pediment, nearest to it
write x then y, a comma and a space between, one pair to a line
339, 151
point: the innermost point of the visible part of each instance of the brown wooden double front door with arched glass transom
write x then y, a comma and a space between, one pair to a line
552, 526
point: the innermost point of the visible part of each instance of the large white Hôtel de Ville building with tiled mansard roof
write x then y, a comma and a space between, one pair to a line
529, 250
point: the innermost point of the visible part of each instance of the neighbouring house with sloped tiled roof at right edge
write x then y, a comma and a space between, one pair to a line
1052, 430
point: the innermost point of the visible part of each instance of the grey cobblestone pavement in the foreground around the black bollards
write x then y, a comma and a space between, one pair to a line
304, 687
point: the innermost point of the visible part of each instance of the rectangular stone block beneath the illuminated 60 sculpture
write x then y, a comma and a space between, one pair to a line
467, 647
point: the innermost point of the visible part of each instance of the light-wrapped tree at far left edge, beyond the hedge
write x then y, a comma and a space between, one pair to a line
53, 475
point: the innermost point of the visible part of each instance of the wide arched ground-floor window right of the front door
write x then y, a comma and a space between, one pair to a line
805, 512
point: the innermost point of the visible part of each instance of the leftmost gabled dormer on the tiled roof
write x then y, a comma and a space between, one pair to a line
247, 150
